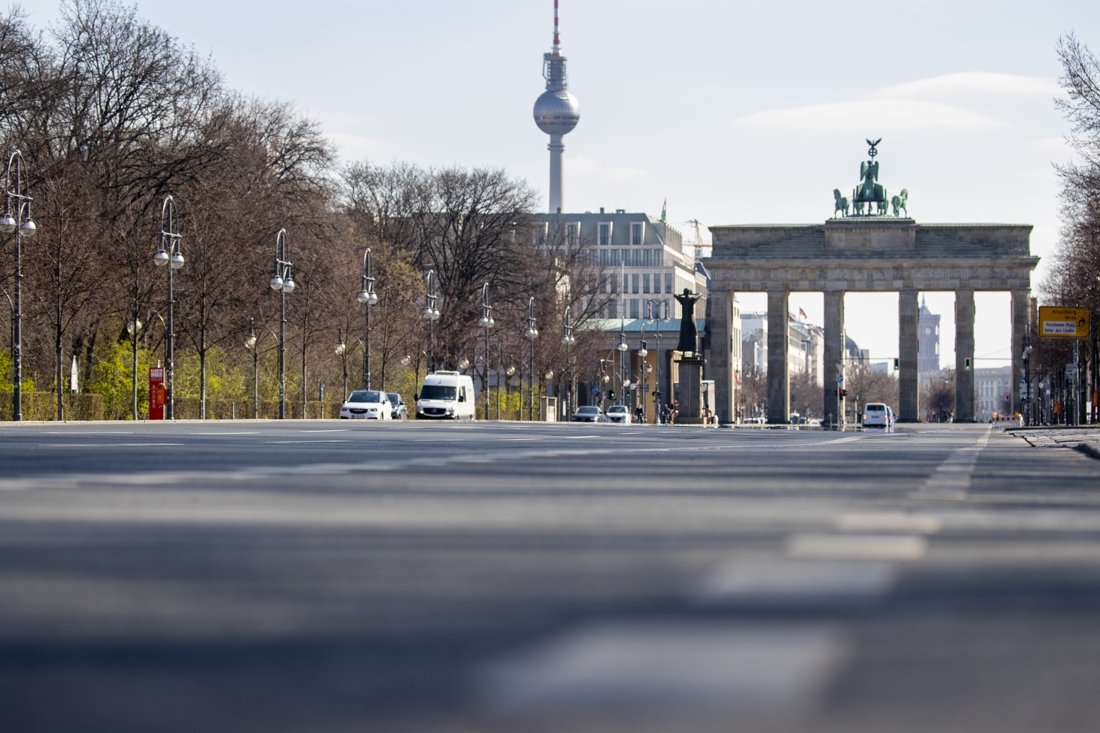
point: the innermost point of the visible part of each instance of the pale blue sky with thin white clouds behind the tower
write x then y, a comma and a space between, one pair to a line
738, 113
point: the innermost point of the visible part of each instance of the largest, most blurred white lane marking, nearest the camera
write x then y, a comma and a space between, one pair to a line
688, 670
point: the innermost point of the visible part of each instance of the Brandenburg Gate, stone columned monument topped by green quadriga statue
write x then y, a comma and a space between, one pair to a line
867, 250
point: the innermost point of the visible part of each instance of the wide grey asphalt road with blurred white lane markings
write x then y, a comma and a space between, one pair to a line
333, 577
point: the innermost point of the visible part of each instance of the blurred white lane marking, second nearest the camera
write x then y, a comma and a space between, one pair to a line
774, 582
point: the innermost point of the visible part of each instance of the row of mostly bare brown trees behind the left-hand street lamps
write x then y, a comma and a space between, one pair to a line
113, 115
